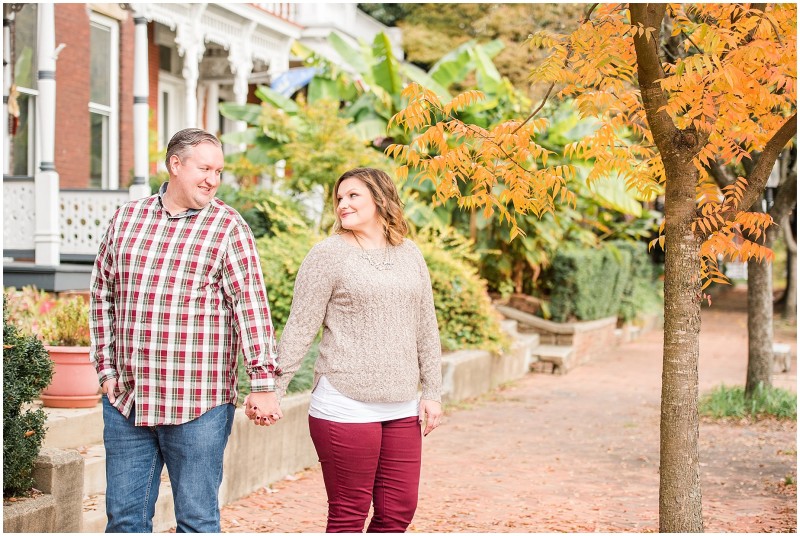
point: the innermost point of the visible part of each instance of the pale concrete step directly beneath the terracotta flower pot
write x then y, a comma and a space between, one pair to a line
73, 428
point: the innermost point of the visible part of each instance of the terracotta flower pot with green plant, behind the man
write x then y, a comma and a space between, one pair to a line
74, 383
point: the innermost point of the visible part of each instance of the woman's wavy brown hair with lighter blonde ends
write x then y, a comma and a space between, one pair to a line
387, 201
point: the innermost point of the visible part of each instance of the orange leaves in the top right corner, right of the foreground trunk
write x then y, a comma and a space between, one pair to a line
739, 81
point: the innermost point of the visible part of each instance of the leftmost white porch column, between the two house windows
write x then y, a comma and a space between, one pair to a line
47, 235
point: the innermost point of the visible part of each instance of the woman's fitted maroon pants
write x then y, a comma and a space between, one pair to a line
371, 463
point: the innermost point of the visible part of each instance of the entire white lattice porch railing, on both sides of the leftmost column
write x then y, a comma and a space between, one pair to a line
84, 216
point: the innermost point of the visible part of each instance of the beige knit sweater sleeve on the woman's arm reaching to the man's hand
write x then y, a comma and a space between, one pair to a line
312, 291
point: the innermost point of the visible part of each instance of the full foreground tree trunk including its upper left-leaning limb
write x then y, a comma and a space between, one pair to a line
680, 500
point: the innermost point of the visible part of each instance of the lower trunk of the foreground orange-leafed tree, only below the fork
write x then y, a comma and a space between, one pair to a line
680, 497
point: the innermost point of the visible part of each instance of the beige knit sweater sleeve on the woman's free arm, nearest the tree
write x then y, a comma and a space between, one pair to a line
429, 346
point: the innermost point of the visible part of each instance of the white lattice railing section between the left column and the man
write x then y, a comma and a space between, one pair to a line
84, 217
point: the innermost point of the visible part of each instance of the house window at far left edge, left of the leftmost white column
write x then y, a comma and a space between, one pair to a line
21, 146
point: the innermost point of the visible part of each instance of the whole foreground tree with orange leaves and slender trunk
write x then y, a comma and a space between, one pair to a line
676, 87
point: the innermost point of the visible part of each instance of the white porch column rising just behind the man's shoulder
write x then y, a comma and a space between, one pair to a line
141, 91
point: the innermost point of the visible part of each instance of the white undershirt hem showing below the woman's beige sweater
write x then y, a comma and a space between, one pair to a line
329, 404
